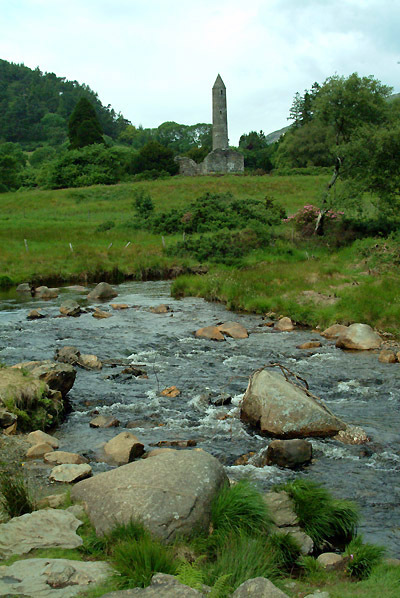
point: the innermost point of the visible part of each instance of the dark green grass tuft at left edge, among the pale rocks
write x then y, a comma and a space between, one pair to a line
15, 498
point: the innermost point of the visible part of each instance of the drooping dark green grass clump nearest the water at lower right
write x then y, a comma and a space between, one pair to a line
324, 518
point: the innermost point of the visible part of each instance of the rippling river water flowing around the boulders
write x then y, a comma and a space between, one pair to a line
355, 386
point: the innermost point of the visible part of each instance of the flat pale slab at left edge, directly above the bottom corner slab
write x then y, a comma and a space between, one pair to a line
49, 528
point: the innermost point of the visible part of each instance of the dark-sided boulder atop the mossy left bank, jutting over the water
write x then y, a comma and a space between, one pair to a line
58, 376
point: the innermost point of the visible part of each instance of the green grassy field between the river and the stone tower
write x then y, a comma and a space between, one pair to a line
87, 235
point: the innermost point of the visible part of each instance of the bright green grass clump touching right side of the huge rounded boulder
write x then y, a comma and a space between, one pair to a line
240, 508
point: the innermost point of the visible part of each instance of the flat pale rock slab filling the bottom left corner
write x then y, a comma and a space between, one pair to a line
51, 578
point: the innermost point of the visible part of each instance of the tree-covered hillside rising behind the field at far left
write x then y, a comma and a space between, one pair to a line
35, 106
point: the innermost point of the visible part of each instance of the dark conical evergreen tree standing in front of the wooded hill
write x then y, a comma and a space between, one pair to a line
83, 126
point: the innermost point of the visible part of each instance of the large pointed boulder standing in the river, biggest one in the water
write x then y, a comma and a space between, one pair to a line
281, 409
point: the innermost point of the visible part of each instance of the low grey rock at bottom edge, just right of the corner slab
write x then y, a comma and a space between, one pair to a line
162, 586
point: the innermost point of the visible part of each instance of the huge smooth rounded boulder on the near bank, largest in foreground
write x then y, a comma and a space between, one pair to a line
170, 493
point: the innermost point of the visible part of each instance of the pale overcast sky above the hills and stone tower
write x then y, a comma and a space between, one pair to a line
156, 60
